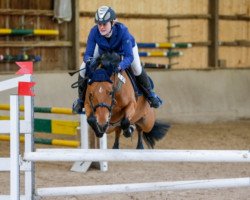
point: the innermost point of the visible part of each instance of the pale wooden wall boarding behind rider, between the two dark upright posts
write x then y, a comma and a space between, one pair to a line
156, 30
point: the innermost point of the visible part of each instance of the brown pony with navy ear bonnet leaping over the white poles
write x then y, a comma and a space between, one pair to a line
111, 105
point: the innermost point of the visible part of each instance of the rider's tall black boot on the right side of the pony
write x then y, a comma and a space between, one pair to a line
145, 86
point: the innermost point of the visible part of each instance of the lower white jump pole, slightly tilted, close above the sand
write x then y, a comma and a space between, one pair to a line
143, 187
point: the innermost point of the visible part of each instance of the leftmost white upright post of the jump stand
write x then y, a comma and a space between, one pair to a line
14, 148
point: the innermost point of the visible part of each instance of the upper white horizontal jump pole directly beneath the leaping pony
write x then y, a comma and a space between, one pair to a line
117, 155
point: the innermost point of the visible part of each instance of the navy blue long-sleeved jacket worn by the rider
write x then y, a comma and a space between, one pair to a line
121, 42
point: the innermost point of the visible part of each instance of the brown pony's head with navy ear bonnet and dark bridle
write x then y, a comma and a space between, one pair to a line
101, 93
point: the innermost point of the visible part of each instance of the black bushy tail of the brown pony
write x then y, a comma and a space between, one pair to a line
158, 131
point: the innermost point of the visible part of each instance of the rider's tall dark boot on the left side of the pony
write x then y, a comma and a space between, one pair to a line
79, 103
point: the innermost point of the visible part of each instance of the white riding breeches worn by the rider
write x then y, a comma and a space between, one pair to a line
135, 65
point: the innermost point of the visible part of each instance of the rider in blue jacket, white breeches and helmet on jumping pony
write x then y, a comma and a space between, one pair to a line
108, 35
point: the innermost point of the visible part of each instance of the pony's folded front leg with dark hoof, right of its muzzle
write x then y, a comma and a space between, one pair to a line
125, 123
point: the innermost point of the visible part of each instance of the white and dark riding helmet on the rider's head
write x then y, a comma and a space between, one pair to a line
104, 14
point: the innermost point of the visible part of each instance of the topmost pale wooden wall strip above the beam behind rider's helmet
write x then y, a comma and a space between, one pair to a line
148, 6
